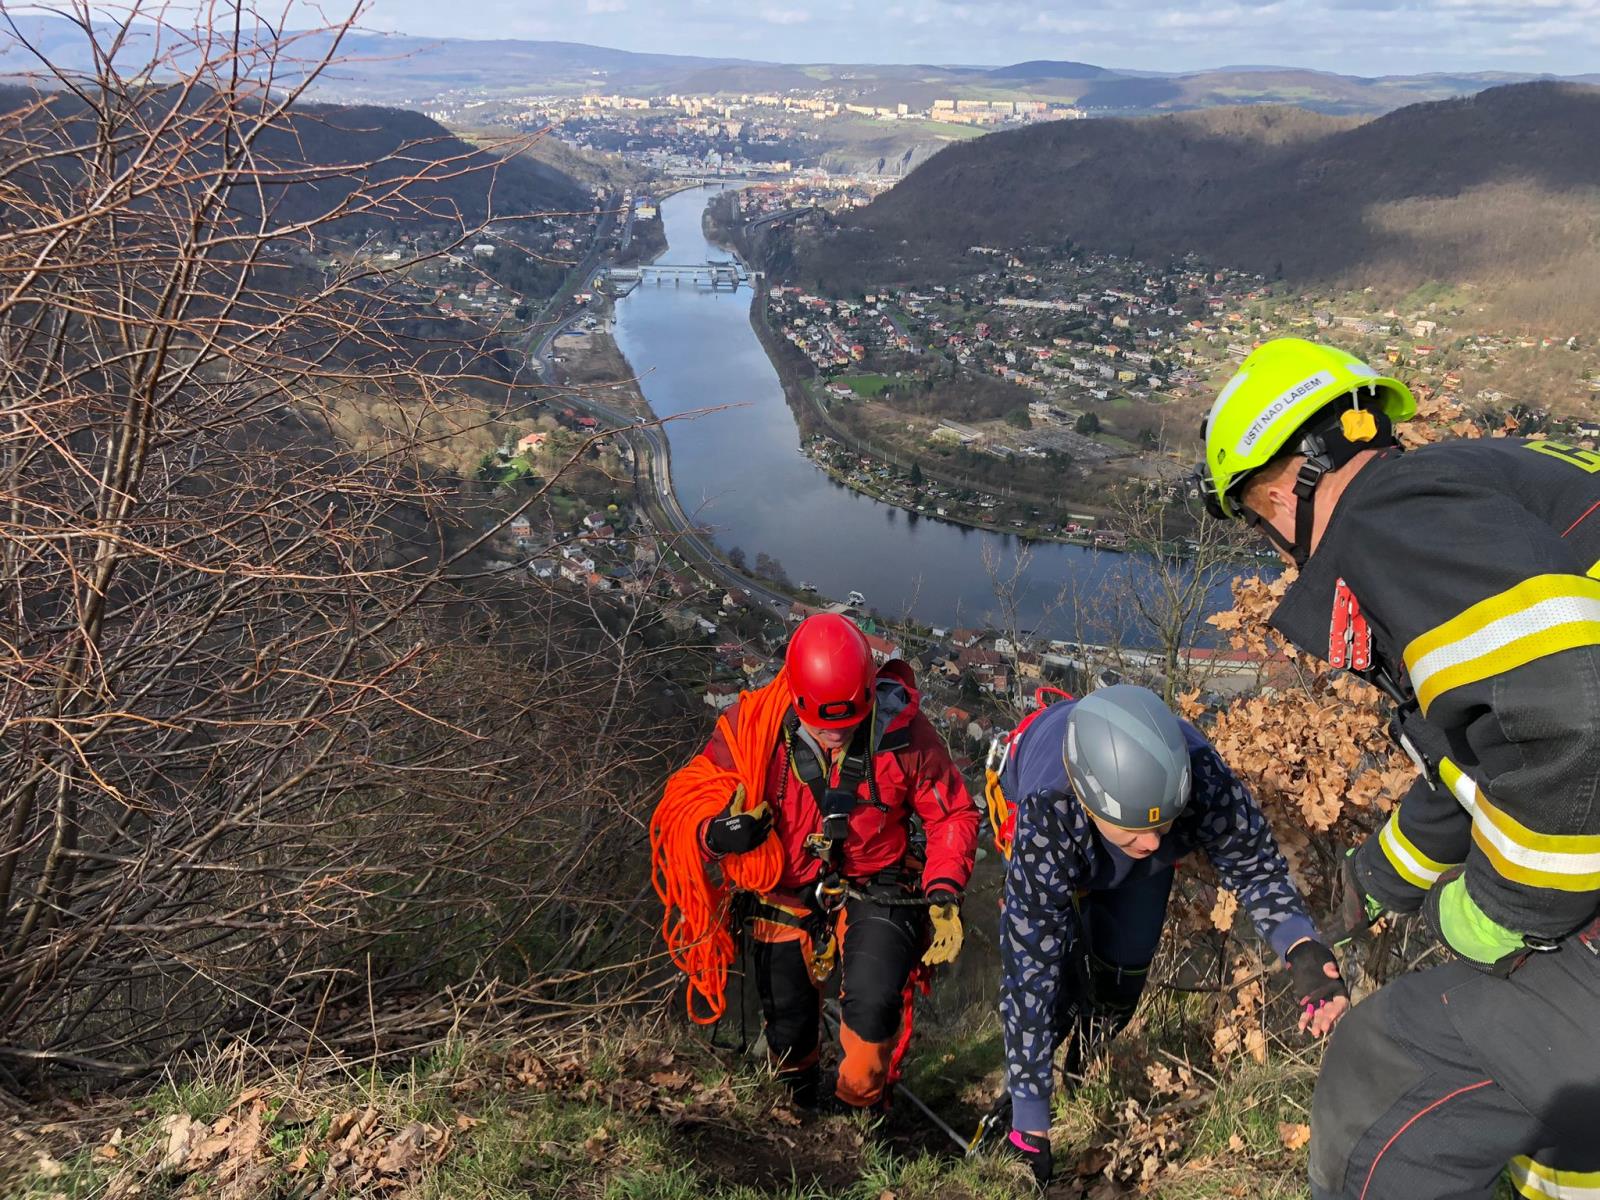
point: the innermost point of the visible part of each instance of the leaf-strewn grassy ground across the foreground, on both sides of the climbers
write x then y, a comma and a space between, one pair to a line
650, 1116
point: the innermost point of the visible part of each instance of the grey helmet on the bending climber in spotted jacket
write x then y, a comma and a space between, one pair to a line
1127, 758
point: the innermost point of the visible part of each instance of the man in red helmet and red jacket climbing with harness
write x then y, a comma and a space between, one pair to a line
854, 766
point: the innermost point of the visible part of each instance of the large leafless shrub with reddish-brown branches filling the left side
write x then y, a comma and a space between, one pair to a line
270, 751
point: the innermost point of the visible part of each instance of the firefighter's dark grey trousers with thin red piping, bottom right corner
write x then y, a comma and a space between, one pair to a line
1442, 1078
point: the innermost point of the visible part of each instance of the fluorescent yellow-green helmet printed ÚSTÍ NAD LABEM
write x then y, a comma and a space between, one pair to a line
1278, 391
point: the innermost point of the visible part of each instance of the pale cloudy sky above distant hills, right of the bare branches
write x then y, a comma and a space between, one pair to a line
1351, 38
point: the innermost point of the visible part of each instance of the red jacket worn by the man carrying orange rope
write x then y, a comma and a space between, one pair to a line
914, 775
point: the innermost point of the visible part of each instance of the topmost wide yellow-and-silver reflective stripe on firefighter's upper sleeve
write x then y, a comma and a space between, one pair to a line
1534, 620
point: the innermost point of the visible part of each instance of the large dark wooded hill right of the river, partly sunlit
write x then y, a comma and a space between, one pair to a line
1497, 190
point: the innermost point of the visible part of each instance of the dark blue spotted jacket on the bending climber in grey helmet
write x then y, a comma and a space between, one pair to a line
1057, 854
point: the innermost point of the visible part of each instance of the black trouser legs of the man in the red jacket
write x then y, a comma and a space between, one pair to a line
879, 948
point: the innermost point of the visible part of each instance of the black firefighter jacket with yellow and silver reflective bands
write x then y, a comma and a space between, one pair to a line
1470, 575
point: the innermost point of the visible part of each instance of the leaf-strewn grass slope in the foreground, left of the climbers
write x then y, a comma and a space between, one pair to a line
700, 1135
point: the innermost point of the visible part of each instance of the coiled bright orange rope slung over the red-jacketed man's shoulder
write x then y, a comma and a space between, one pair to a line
695, 919
